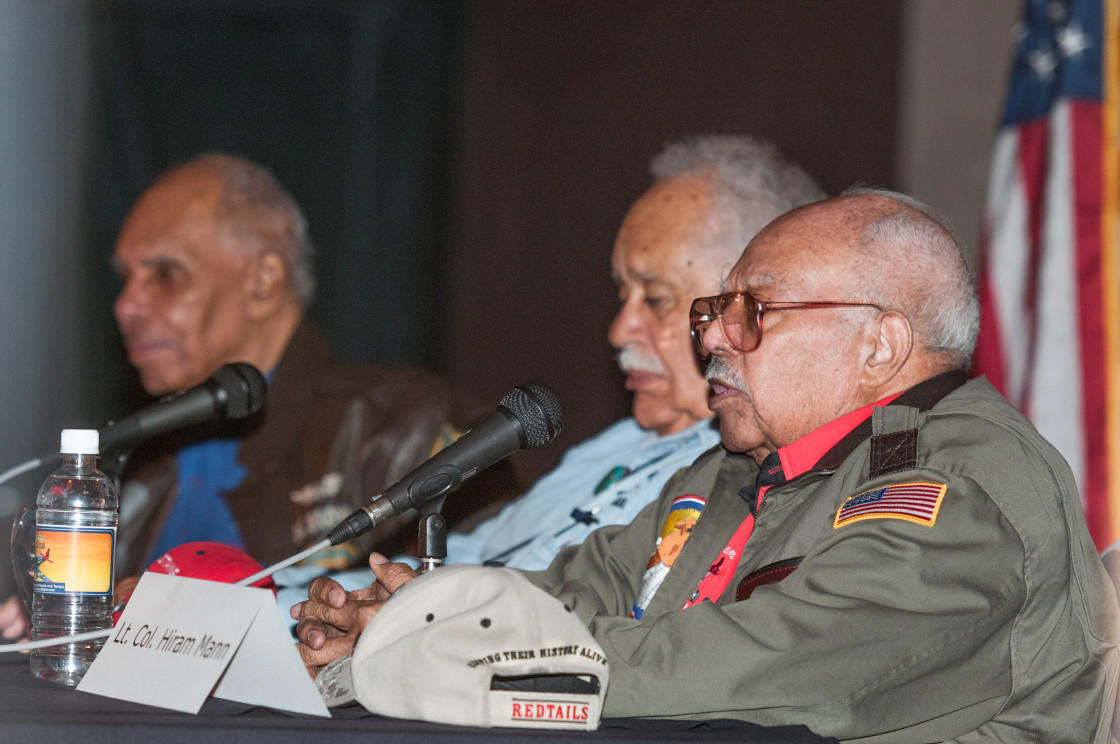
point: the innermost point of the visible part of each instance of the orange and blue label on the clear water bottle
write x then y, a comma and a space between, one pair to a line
74, 561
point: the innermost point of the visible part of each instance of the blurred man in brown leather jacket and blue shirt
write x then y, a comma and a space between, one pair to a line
216, 264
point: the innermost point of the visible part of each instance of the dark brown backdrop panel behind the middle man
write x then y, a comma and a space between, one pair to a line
563, 107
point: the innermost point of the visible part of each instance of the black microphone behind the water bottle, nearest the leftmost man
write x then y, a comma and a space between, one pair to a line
235, 392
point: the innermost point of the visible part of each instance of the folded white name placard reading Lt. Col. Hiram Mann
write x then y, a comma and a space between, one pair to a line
182, 639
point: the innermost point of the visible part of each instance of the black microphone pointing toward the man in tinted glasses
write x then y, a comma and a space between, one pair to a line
529, 416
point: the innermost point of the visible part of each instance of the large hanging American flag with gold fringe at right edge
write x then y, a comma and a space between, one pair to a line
1050, 338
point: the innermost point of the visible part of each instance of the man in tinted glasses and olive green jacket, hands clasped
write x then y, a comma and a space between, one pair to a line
882, 551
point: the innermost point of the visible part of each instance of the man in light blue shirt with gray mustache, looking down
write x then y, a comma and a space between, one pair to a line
711, 197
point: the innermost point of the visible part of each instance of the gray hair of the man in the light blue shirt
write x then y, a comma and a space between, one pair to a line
754, 183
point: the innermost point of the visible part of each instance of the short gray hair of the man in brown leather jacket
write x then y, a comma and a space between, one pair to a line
264, 217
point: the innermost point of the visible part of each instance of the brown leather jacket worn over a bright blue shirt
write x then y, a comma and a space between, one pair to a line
332, 436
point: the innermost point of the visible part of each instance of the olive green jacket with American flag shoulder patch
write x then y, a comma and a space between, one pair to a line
993, 622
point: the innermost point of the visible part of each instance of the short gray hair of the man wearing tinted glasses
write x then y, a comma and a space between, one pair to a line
946, 313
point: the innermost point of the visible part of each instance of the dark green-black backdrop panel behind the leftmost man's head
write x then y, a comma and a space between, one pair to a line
351, 104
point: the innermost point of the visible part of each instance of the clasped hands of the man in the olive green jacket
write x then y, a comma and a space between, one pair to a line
332, 619
